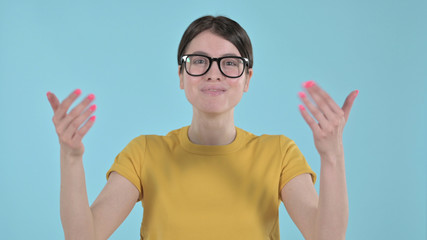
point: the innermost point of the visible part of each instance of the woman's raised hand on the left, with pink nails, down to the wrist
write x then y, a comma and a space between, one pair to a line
69, 125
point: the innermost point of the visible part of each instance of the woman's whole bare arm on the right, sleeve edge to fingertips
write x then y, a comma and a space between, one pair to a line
327, 214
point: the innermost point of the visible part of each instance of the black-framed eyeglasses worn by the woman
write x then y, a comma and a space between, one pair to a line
198, 65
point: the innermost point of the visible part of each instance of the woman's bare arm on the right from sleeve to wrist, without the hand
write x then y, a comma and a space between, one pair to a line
319, 217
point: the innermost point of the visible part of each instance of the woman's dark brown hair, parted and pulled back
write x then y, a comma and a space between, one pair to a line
222, 26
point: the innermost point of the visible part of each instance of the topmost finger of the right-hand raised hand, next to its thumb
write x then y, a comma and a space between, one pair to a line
323, 101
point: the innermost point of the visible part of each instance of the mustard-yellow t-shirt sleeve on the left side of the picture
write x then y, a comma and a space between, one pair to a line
129, 162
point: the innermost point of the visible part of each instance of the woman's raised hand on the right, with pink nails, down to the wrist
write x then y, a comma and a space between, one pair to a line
331, 119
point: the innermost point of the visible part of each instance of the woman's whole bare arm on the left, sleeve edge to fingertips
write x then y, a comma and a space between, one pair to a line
116, 200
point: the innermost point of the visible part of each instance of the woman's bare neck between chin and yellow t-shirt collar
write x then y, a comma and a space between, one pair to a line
212, 129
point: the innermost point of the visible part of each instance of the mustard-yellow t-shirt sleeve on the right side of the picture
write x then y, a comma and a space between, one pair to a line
293, 162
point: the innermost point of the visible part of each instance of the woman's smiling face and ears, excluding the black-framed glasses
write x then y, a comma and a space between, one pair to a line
213, 92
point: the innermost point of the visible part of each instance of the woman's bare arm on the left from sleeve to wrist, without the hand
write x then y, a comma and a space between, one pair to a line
107, 212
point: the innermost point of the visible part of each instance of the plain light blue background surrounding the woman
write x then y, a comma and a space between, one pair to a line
125, 53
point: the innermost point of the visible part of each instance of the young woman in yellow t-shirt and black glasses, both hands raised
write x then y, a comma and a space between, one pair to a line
209, 180
